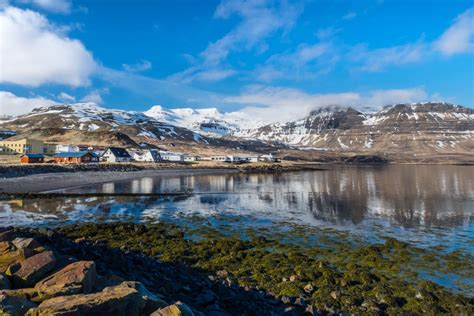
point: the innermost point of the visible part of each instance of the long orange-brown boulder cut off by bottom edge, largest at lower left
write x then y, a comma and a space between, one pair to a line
120, 300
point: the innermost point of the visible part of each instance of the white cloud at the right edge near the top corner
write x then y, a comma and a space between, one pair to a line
459, 37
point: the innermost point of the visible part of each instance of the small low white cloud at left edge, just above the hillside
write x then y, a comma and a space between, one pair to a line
10, 104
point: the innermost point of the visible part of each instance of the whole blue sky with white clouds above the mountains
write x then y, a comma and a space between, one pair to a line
272, 60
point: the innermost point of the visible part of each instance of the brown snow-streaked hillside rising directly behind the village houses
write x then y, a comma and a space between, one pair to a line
87, 123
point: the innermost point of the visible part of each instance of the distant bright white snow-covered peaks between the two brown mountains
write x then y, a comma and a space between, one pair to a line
209, 121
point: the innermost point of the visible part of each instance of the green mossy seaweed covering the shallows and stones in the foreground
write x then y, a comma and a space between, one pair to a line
344, 273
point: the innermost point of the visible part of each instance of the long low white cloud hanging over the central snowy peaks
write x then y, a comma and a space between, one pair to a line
277, 104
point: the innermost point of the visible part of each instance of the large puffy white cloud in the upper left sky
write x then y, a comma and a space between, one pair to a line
35, 52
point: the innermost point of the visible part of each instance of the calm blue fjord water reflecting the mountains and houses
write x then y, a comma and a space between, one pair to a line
428, 205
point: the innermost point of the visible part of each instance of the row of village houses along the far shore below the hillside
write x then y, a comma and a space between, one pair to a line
30, 151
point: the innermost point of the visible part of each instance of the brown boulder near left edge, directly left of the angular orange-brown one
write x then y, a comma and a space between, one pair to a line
29, 271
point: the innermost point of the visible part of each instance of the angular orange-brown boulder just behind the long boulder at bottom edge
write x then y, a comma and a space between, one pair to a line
78, 277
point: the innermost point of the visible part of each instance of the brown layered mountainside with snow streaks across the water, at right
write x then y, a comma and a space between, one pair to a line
420, 128
